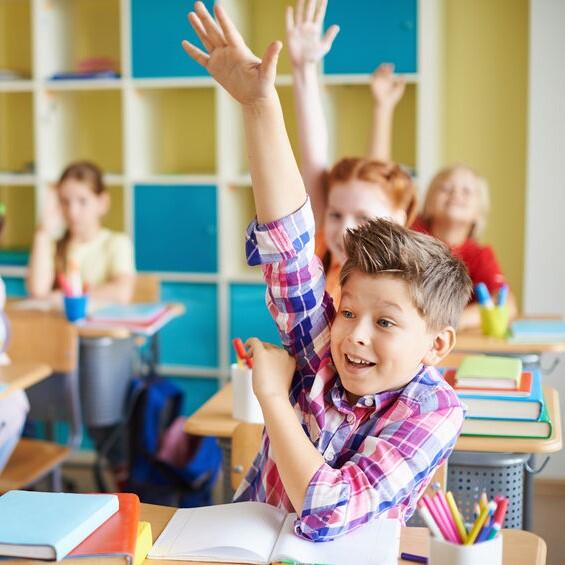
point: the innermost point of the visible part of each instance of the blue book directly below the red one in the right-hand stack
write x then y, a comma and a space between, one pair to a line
483, 403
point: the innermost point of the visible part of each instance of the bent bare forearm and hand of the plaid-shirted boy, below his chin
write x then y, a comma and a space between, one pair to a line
295, 456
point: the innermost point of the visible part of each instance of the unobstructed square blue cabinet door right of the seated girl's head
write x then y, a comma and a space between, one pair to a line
175, 228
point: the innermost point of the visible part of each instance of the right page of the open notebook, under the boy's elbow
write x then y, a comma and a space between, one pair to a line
375, 543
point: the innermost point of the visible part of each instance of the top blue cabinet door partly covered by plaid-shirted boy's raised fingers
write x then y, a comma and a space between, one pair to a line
157, 29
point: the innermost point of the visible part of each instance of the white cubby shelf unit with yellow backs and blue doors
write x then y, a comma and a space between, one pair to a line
172, 146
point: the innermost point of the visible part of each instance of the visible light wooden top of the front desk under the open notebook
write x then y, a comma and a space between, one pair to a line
520, 548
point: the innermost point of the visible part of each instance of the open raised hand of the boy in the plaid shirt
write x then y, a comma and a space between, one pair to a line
228, 59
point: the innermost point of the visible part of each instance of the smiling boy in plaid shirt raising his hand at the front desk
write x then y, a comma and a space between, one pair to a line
357, 419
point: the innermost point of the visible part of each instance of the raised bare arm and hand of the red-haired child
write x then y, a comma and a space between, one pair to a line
307, 47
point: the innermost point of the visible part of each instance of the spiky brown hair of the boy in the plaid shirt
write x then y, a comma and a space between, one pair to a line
440, 286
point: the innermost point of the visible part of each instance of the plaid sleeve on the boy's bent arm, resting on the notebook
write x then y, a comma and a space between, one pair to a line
387, 471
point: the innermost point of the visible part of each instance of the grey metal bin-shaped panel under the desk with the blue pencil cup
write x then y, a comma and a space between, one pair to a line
105, 370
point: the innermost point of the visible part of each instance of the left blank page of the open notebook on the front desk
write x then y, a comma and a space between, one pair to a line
244, 531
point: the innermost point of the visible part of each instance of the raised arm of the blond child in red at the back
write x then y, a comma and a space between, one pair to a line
387, 90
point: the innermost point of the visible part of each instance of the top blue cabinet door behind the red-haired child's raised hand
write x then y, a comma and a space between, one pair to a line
372, 32
